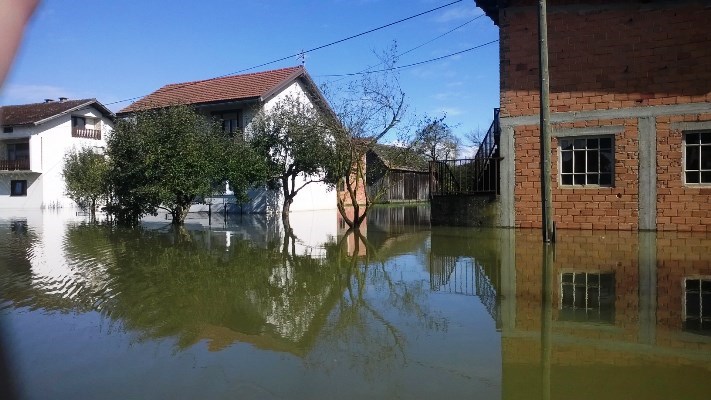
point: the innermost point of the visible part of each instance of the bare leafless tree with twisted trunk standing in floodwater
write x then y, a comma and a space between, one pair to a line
368, 110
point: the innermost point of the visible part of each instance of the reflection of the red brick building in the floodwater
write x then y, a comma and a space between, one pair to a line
648, 330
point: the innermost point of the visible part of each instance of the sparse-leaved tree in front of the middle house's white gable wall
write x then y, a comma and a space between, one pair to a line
295, 143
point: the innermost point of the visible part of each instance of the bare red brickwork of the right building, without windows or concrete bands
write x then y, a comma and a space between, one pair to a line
608, 55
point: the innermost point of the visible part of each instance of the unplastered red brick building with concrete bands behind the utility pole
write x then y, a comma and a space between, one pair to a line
630, 104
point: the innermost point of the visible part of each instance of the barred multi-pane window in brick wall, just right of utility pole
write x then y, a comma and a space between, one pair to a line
586, 161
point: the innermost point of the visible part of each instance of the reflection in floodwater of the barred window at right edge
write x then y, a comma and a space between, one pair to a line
697, 305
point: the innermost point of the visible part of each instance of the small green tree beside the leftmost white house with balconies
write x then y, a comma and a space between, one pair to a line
85, 174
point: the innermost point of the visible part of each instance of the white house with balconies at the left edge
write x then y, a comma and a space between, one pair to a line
34, 138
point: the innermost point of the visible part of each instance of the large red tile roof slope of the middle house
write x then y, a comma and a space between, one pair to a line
236, 87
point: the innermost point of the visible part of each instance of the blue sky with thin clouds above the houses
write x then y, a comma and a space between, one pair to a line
118, 50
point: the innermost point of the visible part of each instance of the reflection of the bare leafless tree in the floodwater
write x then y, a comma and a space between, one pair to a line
370, 321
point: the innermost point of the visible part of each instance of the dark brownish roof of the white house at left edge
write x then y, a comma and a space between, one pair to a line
26, 114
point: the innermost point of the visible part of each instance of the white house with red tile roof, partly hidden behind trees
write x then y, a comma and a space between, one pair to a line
236, 100
